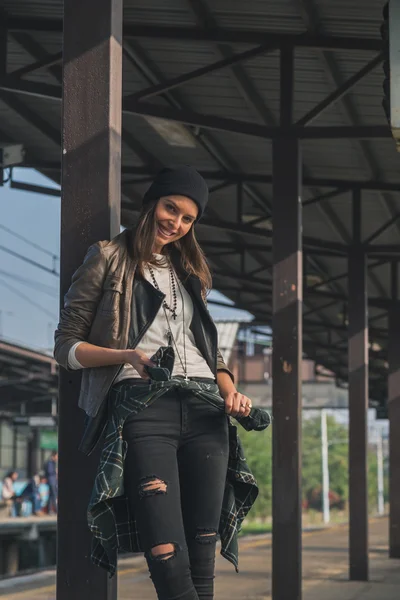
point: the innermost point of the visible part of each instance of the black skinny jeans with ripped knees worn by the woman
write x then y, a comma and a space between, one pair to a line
181, 442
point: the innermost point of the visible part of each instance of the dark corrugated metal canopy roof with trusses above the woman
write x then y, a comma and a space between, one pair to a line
222, 119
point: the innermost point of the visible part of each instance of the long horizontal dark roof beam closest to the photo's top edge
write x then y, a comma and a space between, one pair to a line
212, 34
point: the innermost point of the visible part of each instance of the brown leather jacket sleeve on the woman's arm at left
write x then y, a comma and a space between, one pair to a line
80, 304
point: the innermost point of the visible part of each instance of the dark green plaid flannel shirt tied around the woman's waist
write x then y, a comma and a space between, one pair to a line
110, 519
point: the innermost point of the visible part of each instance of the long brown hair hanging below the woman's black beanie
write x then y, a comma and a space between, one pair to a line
187, 249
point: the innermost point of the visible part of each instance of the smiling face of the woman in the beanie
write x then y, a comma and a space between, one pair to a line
174, 217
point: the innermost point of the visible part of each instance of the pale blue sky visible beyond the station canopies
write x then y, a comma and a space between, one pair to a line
29, 283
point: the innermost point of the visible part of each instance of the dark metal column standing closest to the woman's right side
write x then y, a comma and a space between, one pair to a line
287, 351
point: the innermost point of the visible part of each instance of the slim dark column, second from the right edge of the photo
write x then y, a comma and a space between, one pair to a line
358, 401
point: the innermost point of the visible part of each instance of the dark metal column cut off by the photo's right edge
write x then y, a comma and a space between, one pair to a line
394, 417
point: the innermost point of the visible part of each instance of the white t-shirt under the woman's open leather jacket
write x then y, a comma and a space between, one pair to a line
156, 336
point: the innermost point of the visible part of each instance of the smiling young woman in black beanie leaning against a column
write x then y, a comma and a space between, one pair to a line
172, 475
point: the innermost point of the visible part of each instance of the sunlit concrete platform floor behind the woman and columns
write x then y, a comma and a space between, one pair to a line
325, 572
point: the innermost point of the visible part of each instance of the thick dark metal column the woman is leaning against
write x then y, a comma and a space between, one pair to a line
90, 211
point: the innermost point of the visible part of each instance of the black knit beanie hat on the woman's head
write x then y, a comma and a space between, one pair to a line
179, 181
